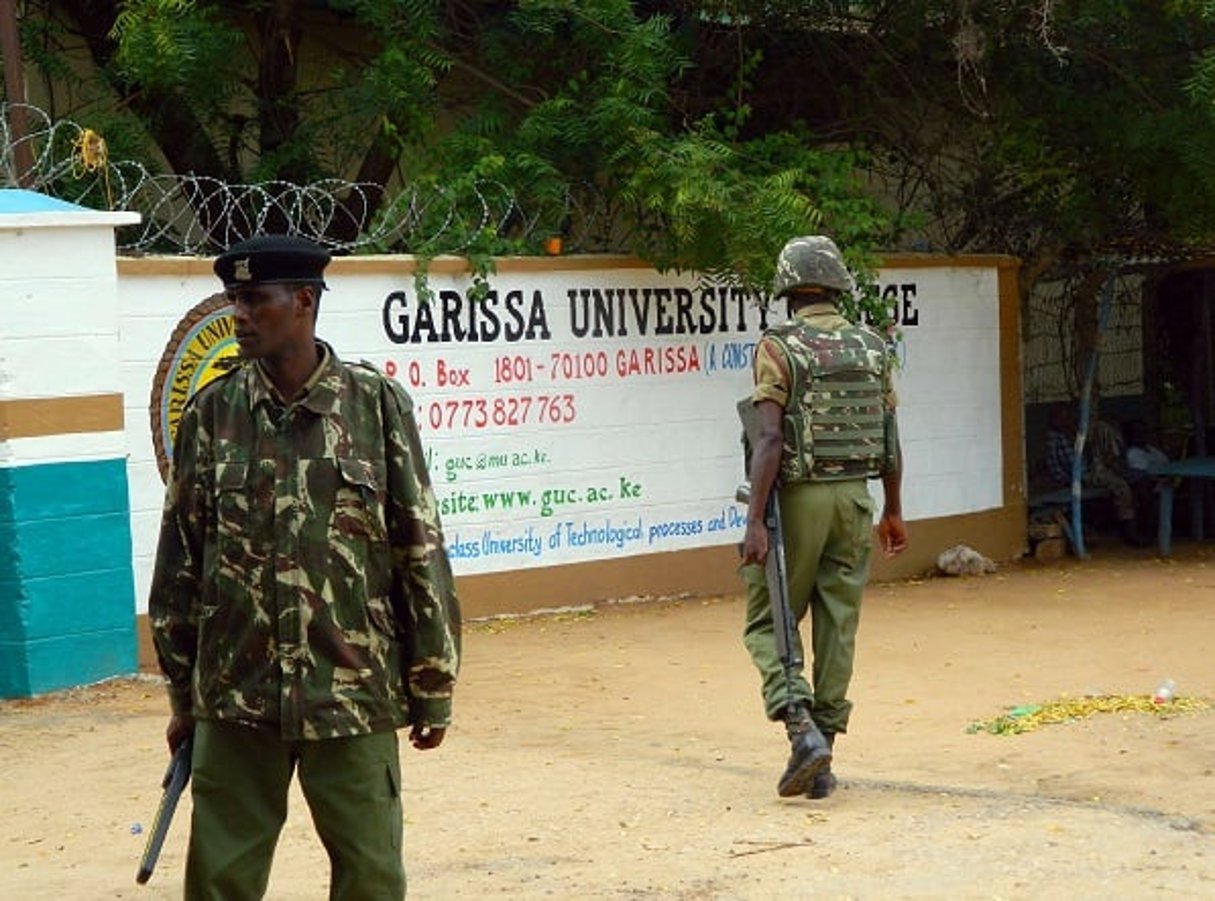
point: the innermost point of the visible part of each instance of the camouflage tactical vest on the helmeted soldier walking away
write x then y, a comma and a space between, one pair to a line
837, 424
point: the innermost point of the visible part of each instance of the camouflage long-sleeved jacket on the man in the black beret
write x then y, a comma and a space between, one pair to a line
301, 579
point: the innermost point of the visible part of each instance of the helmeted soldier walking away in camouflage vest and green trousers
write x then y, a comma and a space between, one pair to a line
826, 405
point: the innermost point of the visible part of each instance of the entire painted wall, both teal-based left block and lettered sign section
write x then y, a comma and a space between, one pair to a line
580, 426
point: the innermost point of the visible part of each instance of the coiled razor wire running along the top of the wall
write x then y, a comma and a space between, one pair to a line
193, 214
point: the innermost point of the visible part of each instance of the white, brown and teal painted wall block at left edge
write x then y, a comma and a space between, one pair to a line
66, 575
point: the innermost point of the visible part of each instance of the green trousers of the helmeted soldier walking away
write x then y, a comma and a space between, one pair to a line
828, 539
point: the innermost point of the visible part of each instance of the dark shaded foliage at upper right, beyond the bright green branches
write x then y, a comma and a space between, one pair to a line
1031, 127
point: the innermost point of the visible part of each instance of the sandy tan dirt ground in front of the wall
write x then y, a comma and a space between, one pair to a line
623, 753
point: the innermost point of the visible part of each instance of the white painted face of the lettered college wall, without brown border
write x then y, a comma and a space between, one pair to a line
670, 443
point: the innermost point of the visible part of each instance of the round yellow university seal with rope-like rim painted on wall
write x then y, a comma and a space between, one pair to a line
201, 349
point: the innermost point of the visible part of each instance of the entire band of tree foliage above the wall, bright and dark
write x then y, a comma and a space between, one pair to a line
709, 131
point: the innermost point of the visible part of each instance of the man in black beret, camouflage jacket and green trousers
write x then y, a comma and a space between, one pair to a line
303, 604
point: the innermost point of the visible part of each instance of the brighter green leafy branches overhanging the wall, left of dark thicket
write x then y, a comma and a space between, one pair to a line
567, 106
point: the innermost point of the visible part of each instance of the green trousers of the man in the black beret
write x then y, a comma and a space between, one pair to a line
241, 777
